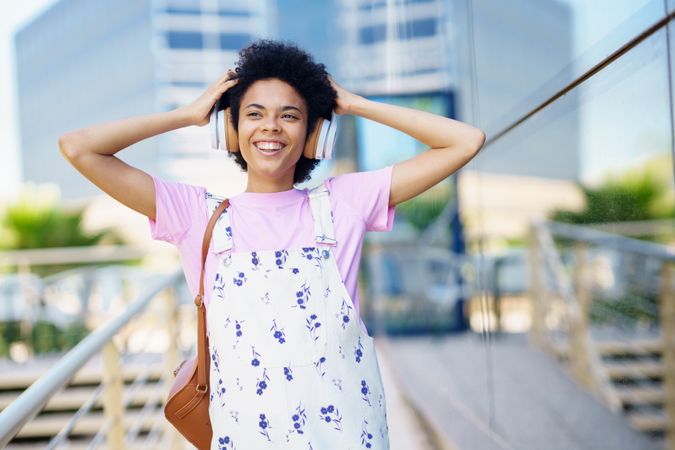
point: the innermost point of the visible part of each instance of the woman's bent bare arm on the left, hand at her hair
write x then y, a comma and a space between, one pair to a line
91, 150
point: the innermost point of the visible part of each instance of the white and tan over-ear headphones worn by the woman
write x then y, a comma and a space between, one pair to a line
319, 143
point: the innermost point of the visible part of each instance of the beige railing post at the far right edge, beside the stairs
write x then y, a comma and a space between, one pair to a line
667, 319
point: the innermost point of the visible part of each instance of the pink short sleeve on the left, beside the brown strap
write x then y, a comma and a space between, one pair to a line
176, 206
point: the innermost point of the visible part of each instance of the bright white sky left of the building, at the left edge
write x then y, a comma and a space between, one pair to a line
14, 15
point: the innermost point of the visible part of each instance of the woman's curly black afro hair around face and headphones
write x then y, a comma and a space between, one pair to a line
265, 59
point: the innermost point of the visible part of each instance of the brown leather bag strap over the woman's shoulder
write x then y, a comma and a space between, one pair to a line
199, 301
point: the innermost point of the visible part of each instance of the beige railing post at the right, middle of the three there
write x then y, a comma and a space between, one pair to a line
579, 352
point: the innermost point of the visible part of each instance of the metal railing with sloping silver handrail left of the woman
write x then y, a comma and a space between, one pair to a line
112, 342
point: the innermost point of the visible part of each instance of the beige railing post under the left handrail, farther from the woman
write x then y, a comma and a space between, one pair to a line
112, 396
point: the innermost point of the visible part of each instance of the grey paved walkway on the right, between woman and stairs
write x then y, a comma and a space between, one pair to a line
511, 396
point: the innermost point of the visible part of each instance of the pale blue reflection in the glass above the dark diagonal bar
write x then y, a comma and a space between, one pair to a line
537, 58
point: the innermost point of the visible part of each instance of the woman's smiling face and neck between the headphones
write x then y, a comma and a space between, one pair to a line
272, 129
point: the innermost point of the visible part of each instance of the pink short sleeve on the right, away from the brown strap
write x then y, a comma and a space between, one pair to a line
368, 193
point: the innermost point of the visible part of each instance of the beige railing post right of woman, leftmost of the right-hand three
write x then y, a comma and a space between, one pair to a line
537, 291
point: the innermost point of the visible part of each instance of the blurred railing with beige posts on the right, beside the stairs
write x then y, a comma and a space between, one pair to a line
593, 290
